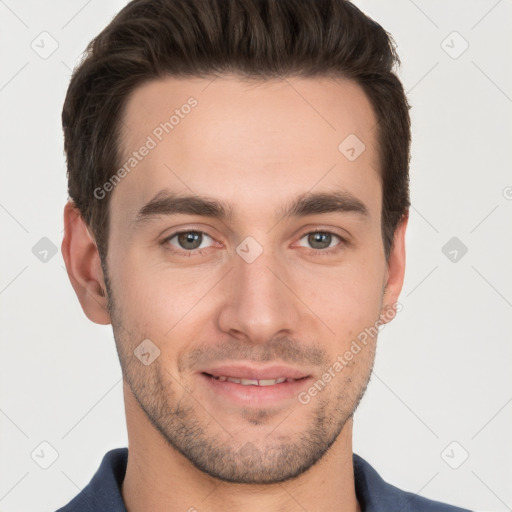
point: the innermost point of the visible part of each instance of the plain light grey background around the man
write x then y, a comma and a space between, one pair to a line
442, 371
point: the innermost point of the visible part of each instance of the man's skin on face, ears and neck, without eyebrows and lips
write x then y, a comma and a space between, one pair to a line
257, 147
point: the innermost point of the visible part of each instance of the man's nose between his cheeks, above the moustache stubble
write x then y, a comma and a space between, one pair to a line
260, 301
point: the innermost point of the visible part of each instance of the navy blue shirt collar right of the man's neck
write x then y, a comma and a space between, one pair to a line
376, 495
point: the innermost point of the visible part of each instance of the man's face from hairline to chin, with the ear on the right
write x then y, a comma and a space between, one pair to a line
245, 257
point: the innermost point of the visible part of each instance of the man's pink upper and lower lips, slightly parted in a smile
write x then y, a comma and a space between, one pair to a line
251, 395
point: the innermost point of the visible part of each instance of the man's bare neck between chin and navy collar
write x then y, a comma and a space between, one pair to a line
158, 478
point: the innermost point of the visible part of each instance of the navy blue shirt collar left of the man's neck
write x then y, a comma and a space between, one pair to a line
104, 490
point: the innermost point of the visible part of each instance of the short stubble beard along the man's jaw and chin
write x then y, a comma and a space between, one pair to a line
200, 438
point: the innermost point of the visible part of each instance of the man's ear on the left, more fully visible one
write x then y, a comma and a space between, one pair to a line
83, 265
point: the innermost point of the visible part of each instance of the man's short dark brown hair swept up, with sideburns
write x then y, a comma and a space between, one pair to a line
261, 39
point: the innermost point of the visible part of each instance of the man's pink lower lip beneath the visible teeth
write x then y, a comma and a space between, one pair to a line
259, 396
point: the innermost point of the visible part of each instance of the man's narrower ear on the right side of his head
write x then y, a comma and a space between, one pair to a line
395, 271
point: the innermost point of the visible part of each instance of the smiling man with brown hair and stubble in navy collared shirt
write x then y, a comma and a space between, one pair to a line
238, 175
